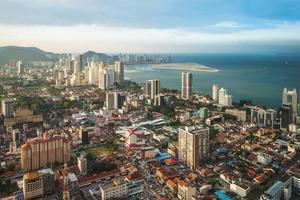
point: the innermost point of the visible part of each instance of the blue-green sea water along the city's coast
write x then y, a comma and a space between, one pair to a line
260, 78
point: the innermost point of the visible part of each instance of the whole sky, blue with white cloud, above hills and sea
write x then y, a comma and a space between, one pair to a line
154, 26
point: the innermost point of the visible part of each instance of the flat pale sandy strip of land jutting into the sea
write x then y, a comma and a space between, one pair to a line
185, 66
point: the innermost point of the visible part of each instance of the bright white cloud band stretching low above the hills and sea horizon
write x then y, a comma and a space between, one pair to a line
80, 38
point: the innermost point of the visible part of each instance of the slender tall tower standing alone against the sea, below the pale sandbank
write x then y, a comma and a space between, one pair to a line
186, 85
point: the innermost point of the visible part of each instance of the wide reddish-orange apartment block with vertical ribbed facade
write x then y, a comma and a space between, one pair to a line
41, 152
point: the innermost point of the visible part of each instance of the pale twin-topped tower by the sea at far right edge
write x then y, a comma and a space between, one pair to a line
289, 97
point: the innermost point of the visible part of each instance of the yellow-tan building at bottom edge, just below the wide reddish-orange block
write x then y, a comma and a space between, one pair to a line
32, 185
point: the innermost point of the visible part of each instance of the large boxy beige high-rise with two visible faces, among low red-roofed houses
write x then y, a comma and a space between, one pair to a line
193, 145
